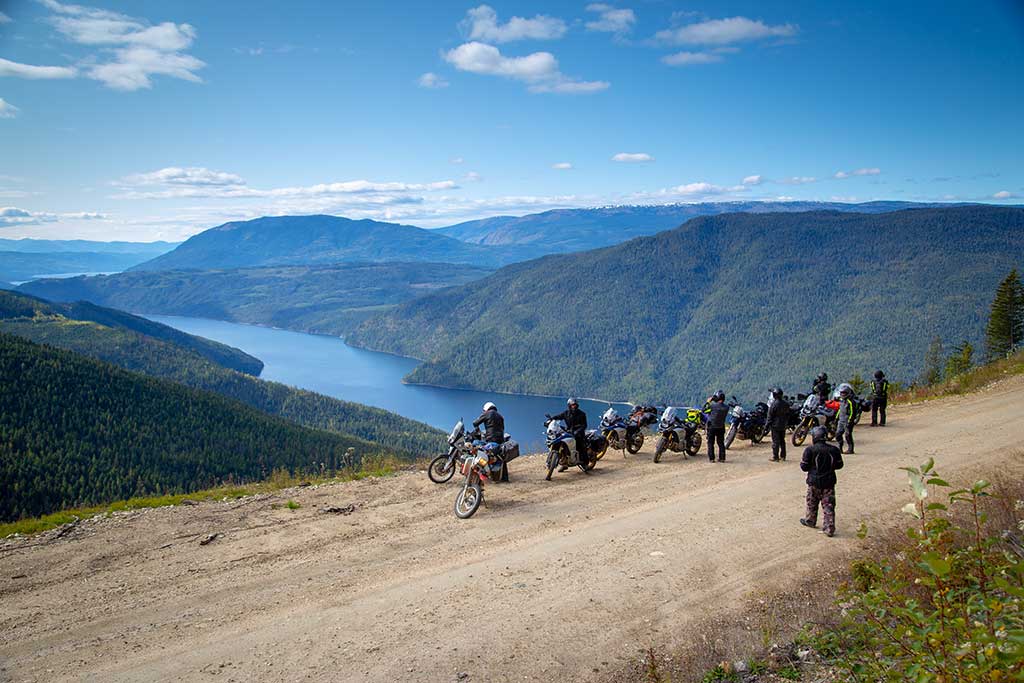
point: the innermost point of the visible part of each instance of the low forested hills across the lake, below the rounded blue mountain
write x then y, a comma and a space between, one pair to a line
329, 300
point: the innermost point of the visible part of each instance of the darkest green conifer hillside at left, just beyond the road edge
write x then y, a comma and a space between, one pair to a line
78, 432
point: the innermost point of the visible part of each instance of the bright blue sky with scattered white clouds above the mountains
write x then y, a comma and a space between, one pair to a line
150, 120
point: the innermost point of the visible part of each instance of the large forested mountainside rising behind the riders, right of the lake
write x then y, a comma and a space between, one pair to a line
739, 302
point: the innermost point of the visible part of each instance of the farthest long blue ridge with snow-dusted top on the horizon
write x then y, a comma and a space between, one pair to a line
566, 231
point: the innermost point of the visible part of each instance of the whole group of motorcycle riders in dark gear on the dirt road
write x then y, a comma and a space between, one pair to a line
821, 460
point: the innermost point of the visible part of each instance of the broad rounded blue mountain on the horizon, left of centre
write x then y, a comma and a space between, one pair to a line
318, 241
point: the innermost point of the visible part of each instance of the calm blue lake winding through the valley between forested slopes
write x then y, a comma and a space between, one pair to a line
328, 366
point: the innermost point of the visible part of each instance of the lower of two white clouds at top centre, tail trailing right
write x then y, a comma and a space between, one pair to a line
539, 70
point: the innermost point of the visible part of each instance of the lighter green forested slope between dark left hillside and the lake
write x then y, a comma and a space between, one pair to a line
133, 351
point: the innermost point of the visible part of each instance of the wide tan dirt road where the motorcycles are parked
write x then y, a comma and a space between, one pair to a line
589, 569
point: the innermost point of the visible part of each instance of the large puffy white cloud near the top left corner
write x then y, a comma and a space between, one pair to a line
133, 51
